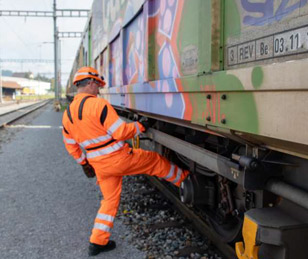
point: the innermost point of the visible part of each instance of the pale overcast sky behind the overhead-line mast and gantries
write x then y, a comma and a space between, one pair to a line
22, 38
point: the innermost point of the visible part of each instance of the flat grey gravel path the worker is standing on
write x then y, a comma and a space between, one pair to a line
47, 205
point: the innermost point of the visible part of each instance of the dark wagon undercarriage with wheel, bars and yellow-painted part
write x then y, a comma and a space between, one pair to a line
252, 197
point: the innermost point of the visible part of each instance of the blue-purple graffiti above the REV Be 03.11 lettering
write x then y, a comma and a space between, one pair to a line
270, 10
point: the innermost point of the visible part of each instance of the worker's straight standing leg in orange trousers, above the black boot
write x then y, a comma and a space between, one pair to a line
111, 187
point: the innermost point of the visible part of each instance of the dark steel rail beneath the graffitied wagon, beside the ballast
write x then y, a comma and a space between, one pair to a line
198, 222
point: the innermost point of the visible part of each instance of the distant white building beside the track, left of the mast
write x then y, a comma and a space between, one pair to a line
30, 86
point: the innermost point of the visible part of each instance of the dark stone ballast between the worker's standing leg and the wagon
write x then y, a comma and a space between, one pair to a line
160, 226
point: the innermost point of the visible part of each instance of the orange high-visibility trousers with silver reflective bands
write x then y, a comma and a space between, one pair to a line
109, 174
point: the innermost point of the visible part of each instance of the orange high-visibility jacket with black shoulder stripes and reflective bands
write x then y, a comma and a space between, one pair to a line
92, 124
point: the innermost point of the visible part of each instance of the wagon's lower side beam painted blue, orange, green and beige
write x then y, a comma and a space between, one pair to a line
251, 104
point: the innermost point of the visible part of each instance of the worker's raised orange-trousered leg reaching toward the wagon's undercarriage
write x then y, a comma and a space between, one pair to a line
140, 161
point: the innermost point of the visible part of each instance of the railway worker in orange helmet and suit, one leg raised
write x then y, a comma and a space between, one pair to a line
91, 124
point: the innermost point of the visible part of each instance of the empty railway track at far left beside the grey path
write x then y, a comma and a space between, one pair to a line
11, 116
